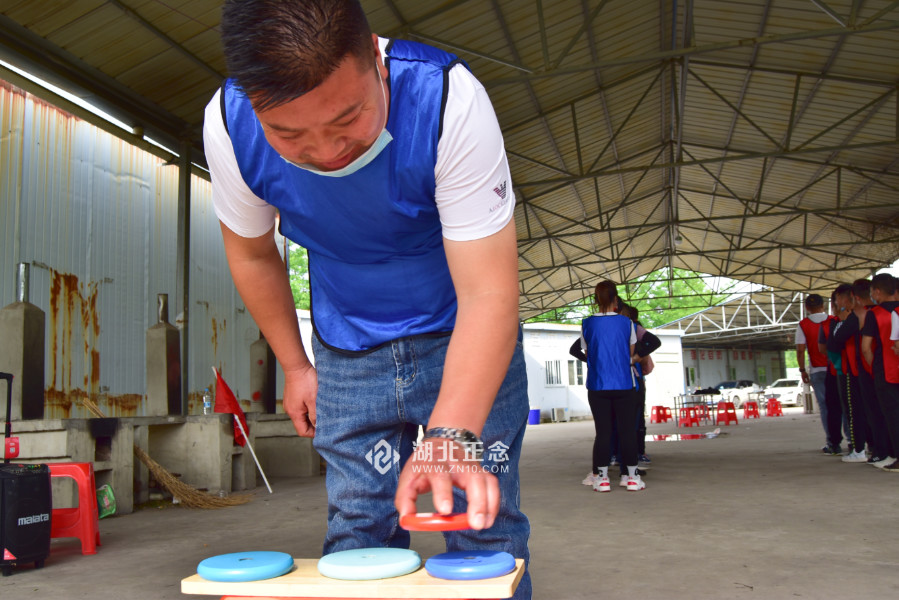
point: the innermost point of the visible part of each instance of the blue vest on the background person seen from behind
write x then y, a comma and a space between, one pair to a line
608, 352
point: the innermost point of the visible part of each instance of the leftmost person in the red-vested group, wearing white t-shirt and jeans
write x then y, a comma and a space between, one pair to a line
816, 374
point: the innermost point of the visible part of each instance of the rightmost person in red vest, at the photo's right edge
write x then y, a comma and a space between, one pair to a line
877, 350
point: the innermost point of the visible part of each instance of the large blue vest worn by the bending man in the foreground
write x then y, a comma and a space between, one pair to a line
377, 267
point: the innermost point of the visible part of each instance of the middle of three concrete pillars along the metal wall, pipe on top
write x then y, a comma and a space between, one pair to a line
163, 364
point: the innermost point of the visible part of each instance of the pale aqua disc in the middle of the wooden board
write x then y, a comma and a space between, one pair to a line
369, 563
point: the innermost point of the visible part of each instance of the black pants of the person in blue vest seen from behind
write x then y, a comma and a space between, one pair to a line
622, 406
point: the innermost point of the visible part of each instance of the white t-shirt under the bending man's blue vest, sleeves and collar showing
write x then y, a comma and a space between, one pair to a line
471, 167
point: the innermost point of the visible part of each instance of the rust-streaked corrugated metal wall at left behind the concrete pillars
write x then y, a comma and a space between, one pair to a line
96, 218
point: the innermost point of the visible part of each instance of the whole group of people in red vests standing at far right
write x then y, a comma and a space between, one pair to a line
854, 369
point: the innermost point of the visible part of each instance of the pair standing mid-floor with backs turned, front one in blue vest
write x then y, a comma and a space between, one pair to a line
617, 351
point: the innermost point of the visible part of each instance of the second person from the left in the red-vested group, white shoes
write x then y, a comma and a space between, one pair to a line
842, 351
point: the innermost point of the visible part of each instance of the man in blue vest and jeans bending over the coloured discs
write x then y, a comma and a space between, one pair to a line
384, 159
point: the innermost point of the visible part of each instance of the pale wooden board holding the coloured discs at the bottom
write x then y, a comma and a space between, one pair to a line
304, 581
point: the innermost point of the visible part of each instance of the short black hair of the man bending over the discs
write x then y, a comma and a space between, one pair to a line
278, 50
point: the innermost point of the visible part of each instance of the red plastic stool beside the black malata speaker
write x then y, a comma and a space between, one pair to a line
82, 521
